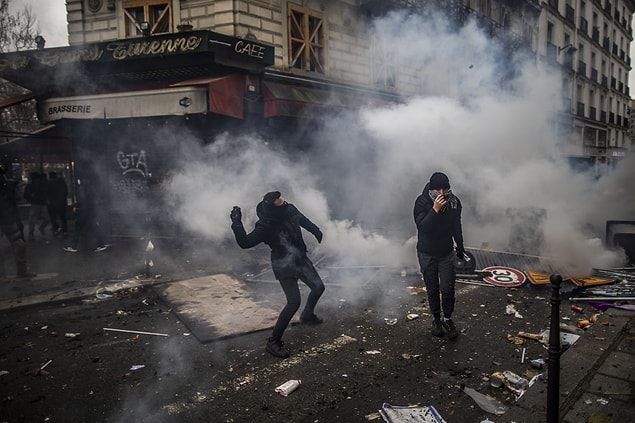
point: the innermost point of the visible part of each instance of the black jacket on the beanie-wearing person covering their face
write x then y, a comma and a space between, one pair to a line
437, 232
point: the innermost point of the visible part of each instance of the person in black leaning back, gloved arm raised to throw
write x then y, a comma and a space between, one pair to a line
279, 226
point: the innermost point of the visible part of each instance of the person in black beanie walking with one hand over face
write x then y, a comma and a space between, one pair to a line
437, 213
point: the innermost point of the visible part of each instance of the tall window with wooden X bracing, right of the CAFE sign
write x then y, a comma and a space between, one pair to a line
306, 39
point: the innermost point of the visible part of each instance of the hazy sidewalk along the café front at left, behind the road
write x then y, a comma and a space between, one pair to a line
62, 275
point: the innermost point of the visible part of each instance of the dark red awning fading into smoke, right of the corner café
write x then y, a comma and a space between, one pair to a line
299, 101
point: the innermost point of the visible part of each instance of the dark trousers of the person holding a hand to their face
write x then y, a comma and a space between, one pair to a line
439, 276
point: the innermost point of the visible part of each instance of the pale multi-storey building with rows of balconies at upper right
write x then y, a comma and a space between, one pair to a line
590, 42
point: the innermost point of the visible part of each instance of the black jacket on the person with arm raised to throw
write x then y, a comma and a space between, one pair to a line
280, 228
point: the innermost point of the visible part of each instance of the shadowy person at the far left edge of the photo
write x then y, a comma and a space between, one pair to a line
9, 222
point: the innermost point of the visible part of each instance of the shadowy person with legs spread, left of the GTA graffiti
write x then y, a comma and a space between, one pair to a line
86, 223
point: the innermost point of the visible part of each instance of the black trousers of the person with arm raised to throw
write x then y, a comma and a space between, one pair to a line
307, 274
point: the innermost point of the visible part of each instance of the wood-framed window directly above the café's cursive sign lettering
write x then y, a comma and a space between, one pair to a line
147, 17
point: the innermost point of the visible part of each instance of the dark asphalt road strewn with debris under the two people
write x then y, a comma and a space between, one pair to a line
58, 363
